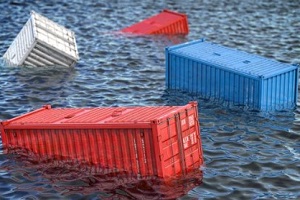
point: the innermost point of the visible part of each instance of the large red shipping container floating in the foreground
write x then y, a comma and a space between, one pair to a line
148, 141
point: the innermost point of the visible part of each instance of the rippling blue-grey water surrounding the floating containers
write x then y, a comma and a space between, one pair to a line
248, 155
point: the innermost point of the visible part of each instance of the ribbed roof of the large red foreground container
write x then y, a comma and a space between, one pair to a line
96, 115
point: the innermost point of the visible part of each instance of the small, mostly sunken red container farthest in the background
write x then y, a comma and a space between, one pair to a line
166, 22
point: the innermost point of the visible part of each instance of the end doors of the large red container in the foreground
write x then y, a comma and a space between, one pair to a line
180, 143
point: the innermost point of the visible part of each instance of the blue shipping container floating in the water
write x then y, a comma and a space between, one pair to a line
212, 70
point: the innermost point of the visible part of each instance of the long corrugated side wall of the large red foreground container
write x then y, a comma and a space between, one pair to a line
130, 150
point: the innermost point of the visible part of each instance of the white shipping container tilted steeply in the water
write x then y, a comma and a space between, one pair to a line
42, 42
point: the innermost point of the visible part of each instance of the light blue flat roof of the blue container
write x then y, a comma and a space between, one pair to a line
231, 59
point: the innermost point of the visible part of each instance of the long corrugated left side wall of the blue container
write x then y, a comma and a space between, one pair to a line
212, 82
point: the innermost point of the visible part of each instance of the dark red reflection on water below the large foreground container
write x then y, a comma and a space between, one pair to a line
77, 180
